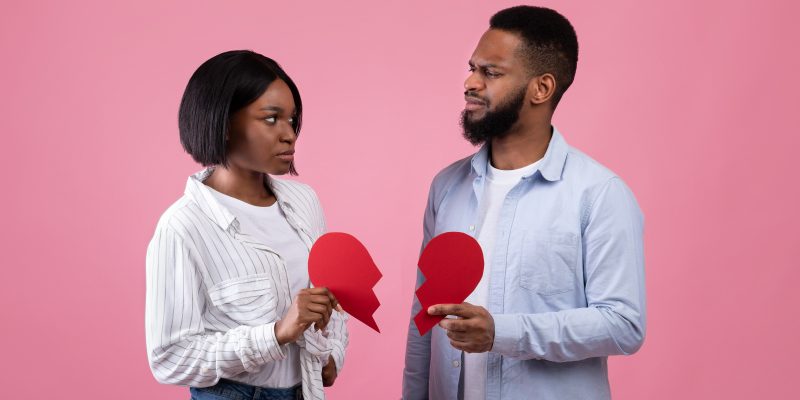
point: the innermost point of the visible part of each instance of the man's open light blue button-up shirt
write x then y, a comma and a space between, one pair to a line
566, 283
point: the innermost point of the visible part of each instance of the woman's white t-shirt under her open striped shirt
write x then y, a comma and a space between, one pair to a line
268, 225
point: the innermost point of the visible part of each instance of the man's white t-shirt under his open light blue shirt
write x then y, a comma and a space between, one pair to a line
498, 184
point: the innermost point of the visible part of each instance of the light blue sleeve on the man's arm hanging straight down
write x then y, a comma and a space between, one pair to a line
418, 348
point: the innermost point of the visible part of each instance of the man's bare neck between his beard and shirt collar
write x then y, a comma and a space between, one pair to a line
520, 147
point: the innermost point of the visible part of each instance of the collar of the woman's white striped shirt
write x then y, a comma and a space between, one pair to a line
202, 196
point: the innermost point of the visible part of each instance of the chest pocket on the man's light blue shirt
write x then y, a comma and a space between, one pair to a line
548, 262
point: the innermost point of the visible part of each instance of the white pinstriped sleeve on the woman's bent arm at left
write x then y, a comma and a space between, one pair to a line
179, 349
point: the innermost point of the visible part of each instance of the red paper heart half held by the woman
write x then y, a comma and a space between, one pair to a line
339, 262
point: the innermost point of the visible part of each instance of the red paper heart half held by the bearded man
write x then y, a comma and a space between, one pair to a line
453, 266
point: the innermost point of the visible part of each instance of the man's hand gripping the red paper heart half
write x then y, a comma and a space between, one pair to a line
472, 332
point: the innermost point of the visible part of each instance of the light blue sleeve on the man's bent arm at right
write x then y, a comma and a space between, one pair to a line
614, 320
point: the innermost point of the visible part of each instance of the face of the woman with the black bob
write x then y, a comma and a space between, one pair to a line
262, 136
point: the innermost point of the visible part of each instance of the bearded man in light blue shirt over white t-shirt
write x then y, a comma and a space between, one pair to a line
563, 283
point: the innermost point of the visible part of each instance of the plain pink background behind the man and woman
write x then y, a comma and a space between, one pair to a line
692, 103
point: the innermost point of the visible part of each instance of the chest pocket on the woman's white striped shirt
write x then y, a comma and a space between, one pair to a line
248, 300
